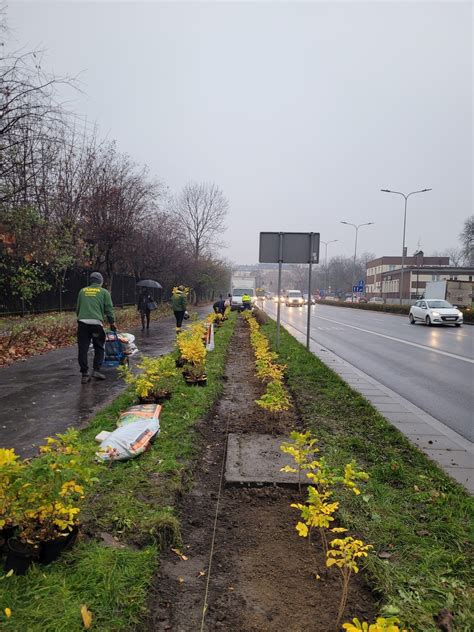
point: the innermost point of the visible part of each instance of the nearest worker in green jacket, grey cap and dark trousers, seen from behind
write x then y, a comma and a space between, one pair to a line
94, 305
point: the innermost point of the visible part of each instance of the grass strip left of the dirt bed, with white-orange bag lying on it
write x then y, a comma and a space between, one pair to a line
133, 501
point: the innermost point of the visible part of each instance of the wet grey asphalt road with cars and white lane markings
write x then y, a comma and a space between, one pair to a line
432, 367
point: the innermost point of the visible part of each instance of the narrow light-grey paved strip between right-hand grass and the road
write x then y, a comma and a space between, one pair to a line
452, 452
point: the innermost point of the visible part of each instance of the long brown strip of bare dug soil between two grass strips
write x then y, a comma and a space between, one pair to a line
263, 575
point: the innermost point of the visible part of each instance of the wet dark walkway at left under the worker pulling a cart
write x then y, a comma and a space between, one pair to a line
44, 395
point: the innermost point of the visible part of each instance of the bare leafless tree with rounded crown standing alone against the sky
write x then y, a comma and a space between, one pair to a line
201, 209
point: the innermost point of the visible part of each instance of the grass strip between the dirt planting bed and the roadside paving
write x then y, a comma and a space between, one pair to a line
409, 507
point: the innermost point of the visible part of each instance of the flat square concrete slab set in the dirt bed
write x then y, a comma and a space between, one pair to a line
255, 459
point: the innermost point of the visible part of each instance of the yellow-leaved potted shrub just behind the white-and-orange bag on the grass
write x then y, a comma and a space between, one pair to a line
155, 382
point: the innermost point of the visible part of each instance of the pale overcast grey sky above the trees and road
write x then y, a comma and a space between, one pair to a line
300, 112
